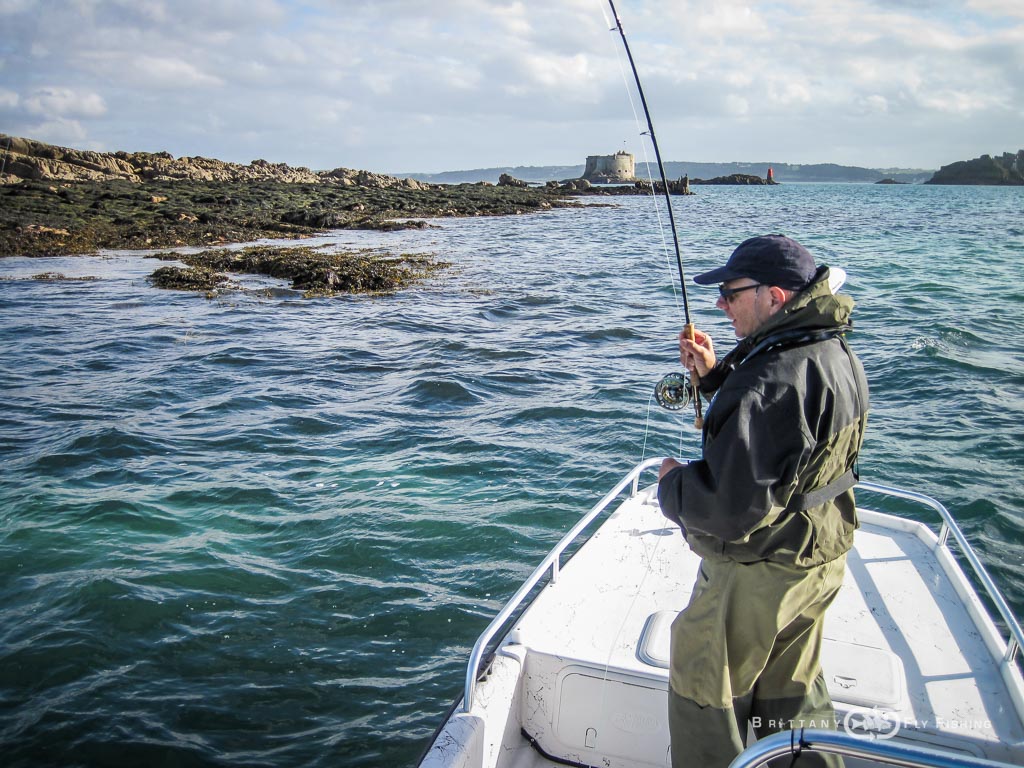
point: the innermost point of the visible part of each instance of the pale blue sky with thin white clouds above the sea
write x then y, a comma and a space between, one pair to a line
424, 87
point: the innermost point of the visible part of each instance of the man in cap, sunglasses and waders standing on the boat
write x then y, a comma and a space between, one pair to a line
770, 507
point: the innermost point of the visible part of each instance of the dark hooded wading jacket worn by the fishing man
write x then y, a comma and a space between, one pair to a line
788, 419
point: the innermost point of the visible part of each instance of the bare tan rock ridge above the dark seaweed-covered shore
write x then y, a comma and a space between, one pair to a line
23, 159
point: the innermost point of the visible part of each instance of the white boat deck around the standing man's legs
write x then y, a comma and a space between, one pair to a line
585, 673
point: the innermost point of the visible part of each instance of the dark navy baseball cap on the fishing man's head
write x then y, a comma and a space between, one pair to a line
771, 260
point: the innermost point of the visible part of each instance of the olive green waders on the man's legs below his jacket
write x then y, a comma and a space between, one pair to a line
747, 652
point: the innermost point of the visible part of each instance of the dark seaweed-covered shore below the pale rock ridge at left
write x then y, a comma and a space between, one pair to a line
46, 219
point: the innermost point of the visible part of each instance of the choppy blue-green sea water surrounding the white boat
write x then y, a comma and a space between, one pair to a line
267, 531
